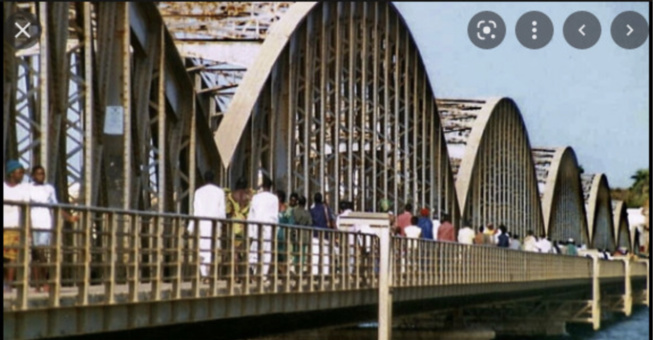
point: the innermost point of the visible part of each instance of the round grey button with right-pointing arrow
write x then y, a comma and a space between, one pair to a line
629, 30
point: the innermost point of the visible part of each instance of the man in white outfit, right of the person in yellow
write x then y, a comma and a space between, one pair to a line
264, 208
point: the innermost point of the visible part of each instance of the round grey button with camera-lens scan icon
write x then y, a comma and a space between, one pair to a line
486, 30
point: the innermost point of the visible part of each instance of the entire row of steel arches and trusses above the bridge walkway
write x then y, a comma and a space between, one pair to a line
337, 100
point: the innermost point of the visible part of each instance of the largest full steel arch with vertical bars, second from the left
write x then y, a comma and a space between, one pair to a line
338, 101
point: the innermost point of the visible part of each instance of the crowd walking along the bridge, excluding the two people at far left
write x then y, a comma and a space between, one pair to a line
304, 250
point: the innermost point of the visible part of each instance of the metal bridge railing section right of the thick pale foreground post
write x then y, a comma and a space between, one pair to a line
425, 263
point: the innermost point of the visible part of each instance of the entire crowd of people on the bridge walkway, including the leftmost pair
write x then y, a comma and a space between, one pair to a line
252, 214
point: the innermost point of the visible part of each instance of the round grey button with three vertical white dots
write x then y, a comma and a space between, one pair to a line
534, 30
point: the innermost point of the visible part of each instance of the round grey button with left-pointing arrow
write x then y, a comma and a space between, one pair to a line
582, 30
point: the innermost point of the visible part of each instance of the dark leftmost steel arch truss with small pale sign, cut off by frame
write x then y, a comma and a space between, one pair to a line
104, 102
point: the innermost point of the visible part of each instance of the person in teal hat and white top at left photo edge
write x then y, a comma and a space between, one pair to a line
14, 190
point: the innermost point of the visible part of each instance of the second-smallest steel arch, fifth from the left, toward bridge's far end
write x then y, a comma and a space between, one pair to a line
596, 193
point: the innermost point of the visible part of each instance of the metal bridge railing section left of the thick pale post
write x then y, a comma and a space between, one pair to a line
116, 256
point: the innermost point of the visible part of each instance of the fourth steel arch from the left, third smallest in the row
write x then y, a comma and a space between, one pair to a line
561, 193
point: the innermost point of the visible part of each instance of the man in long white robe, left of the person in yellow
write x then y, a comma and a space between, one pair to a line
209, 201
